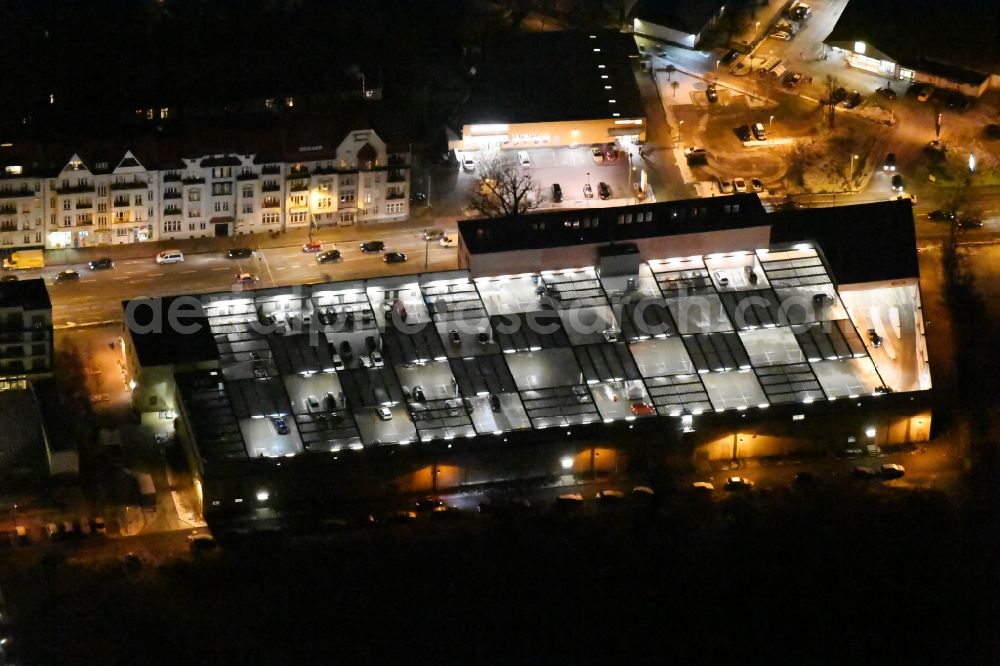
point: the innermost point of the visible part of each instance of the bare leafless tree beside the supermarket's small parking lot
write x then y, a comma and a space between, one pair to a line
503, 190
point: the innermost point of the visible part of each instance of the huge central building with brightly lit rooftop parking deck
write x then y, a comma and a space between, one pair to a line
710, 318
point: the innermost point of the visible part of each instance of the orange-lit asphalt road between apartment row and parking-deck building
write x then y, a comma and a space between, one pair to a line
97, 295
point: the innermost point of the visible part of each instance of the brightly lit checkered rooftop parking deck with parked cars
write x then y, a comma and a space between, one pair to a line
739, 330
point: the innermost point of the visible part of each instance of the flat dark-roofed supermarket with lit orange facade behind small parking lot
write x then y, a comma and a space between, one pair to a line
552, 89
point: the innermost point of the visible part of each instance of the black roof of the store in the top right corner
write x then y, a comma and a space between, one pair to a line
965, 36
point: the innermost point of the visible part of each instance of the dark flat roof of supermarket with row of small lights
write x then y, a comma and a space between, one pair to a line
553, 76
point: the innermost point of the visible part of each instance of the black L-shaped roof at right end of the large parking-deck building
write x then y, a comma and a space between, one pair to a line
862, 243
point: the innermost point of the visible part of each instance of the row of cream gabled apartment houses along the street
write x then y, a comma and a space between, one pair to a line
168, 190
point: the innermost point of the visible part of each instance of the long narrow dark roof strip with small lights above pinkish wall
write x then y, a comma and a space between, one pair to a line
606, 225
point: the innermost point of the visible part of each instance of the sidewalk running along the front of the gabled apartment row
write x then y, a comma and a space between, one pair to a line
420, 218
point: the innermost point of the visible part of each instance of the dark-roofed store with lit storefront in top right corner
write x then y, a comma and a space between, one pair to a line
935, 44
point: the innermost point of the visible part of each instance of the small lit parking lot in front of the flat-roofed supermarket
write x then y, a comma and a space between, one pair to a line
572, 168
